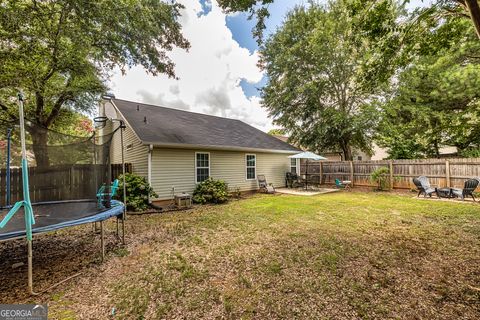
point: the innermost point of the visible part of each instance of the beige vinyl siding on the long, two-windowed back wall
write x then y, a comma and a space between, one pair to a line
176, 168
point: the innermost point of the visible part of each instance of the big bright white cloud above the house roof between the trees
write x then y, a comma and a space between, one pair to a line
210, 72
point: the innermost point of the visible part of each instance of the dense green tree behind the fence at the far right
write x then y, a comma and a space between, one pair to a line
435, 100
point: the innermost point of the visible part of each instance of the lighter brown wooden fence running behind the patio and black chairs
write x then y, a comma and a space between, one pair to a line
441, 172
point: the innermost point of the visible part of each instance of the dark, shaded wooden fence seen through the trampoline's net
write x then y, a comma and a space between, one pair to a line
55, 183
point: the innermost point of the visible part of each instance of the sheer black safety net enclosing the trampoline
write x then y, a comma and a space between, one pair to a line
62, 167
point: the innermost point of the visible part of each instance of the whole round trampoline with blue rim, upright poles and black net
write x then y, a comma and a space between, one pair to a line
58, 180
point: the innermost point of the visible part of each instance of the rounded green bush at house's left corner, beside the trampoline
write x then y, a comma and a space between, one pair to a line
138, 191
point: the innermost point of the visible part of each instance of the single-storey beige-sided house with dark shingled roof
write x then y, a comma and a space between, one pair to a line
176, 149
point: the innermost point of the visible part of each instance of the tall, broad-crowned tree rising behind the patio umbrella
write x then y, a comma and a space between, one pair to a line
324, 66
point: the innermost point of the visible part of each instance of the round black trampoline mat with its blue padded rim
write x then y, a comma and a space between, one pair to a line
50, 216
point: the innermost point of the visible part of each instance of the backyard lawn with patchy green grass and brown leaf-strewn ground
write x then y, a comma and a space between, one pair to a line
345, 255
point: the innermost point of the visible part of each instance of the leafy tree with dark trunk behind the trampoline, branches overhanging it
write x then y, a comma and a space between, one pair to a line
60, 53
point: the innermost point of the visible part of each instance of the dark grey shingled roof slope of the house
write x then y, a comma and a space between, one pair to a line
173, 127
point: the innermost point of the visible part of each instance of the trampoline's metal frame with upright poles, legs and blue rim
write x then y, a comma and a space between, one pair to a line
28, 210
